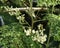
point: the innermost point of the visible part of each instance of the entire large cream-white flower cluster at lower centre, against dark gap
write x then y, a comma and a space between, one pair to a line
37, 35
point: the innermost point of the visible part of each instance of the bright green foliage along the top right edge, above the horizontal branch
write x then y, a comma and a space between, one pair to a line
47, 2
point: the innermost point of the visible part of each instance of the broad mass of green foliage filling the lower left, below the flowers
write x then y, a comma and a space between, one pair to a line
13, 36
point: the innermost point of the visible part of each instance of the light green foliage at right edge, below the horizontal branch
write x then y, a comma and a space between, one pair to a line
54, 22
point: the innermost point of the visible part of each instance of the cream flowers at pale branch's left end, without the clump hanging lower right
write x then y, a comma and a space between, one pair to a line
11, 11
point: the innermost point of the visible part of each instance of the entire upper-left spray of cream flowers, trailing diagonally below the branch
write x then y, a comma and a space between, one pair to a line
16, 12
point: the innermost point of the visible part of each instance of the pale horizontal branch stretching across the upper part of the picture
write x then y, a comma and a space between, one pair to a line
28, 8
